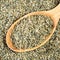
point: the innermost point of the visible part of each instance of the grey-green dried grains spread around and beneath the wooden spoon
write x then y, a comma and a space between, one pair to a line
10, 10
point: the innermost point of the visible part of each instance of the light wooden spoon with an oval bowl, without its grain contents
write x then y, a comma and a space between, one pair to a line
54, 14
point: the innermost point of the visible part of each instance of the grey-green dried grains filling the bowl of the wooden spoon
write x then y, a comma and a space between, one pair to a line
31, 31
